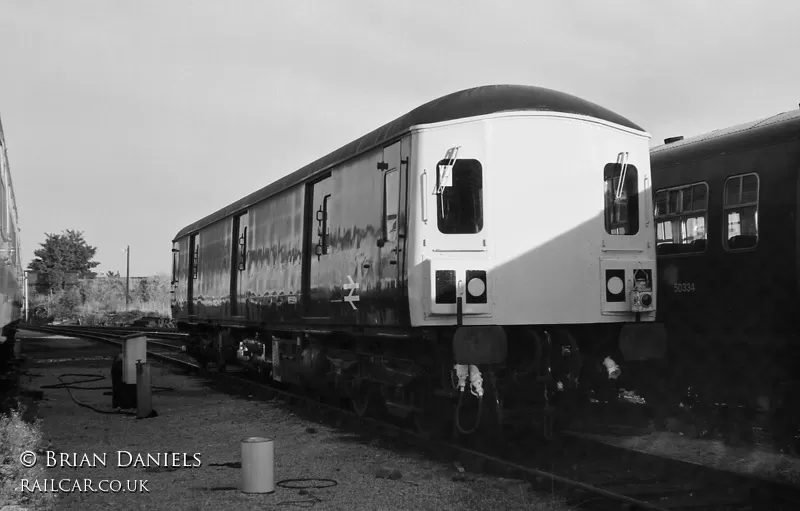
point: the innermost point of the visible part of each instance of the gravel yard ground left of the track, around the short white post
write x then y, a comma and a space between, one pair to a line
194, 419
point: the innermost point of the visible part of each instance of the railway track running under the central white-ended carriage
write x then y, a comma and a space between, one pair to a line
588, 474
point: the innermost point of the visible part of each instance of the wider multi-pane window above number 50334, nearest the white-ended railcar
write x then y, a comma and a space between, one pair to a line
681, 215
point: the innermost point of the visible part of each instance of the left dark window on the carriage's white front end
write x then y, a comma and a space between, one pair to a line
460, 206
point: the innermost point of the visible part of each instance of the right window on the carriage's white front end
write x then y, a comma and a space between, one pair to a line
621, 202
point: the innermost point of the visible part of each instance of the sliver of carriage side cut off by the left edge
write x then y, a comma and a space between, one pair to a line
10, 265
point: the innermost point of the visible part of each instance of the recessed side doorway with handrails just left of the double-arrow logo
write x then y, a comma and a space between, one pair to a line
318, 279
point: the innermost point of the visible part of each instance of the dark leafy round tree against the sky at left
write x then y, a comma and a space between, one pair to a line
64, 253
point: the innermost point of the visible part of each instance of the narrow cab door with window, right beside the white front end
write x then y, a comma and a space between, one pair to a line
392, 240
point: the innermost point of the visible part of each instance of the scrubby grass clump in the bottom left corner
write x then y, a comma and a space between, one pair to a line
16, 437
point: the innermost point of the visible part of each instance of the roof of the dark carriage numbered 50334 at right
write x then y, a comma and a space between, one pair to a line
761, 132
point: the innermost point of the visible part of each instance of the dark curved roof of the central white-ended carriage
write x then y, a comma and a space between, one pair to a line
466, 103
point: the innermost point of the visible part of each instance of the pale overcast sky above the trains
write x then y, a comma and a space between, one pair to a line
130, 120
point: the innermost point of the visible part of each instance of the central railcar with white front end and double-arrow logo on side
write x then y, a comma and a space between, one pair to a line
498, 239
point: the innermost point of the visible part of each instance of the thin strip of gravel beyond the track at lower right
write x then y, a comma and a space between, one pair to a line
713, 453
